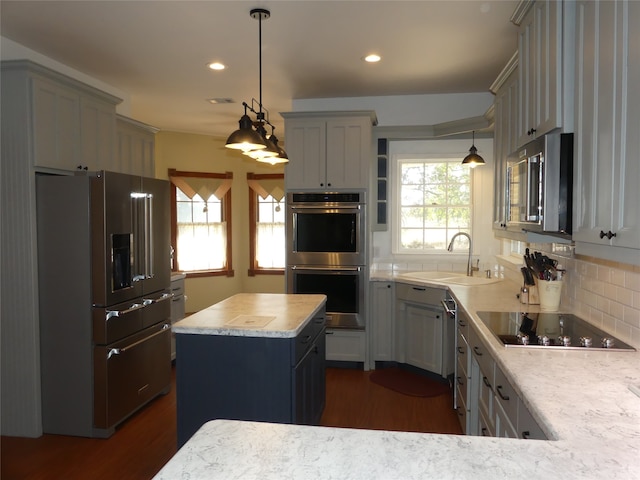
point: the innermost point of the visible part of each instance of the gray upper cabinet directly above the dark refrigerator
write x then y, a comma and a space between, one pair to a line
71, 125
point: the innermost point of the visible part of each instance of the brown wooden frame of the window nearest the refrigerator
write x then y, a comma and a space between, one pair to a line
227, 270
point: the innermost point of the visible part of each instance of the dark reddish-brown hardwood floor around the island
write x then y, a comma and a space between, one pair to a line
145, 442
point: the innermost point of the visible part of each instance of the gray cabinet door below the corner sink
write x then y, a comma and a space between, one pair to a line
423, 346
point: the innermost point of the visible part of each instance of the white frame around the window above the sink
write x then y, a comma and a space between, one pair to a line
424, 157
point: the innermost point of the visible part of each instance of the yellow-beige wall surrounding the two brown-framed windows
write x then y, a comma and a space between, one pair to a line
189, 152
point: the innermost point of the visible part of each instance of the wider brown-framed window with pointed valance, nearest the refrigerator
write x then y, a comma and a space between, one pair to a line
201, 222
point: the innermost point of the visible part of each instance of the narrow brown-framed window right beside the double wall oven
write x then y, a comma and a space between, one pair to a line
266, 224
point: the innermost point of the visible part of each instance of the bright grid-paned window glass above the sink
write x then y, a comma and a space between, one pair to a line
434, 202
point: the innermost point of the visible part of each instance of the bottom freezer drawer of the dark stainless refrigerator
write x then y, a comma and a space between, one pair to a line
129, 373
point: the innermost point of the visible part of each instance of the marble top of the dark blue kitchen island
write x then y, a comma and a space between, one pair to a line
254, 315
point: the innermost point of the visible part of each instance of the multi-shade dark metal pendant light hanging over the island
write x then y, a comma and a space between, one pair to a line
251, 137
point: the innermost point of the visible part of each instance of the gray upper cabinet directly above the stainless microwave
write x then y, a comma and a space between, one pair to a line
544, 55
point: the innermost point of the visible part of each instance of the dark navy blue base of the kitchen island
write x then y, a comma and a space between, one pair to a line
265, 379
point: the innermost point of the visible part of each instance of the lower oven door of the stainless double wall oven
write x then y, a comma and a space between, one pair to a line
343, 286
